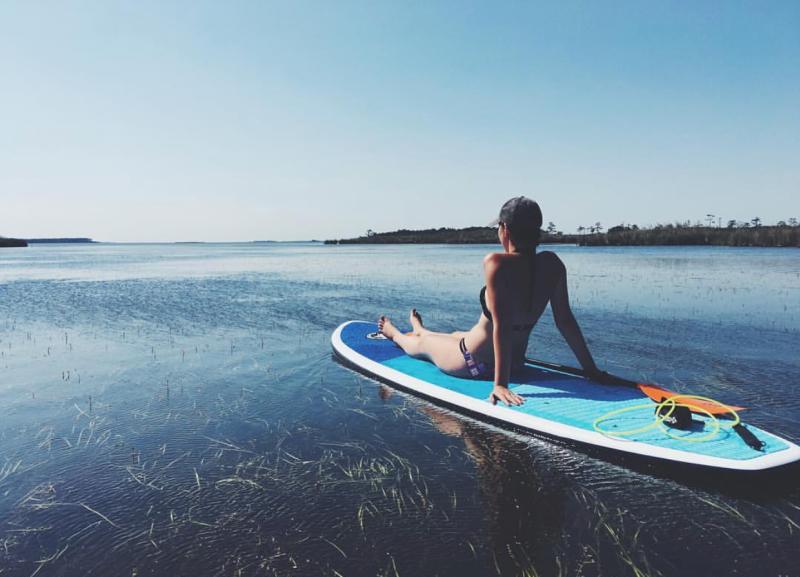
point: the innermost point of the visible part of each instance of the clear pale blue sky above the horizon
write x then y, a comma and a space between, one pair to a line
228, 121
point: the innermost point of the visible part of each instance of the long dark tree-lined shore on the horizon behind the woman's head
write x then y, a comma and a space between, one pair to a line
751, 233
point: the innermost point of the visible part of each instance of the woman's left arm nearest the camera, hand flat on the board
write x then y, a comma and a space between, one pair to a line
498, 300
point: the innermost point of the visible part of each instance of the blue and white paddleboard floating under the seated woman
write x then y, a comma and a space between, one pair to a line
566, 405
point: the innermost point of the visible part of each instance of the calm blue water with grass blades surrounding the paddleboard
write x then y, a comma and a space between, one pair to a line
175, 409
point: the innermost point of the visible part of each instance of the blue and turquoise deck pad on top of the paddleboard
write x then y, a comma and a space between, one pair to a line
571, 400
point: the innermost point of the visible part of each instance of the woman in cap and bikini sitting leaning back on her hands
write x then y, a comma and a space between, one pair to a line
519, 284
